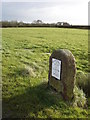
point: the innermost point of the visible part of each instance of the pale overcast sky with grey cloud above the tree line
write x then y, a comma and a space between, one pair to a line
72, 11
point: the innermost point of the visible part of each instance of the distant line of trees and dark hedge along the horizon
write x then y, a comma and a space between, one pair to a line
39, 23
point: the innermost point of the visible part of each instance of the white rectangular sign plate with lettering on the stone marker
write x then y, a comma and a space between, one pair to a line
56, 68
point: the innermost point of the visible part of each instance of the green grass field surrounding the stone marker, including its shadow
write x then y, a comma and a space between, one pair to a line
25, 68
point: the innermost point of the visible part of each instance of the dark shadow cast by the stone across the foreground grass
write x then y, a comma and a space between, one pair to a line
31, 102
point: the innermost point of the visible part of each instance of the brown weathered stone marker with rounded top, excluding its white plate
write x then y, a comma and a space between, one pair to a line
68, 70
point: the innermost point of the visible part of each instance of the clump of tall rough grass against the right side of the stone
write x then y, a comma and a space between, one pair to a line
82, 89
